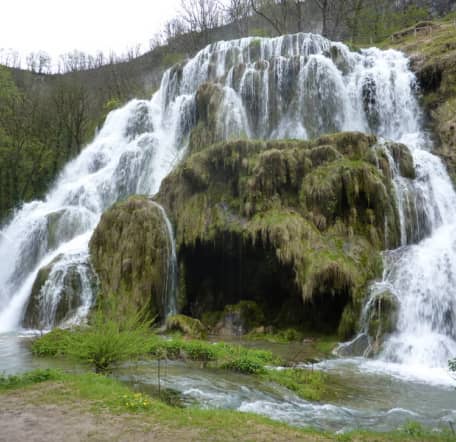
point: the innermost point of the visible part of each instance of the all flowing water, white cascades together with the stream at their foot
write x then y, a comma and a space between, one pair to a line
297, 86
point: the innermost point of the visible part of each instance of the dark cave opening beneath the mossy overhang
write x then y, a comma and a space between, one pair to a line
231, 269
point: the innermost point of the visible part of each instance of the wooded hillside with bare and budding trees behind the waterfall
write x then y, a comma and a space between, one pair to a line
50, 110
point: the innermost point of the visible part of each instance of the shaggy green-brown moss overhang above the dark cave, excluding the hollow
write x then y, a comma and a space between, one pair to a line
320, 205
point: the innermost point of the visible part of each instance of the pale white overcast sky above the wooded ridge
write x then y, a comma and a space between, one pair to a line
58, 26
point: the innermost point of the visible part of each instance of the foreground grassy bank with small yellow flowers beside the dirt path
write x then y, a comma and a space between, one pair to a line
113, 402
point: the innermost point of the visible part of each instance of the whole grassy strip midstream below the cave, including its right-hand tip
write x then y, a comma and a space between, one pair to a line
104, 348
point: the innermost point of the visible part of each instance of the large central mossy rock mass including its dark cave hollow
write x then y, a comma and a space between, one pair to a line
247, 213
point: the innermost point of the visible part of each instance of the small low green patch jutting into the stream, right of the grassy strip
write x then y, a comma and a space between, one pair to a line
307, 384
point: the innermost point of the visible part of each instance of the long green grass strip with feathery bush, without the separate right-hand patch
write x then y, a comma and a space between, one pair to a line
103, 347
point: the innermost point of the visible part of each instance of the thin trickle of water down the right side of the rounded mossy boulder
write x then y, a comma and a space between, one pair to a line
170, 290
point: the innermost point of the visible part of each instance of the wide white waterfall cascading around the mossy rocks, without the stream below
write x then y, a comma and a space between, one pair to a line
297, 86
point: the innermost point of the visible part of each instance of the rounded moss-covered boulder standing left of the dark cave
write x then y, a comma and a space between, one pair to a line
129, 252
